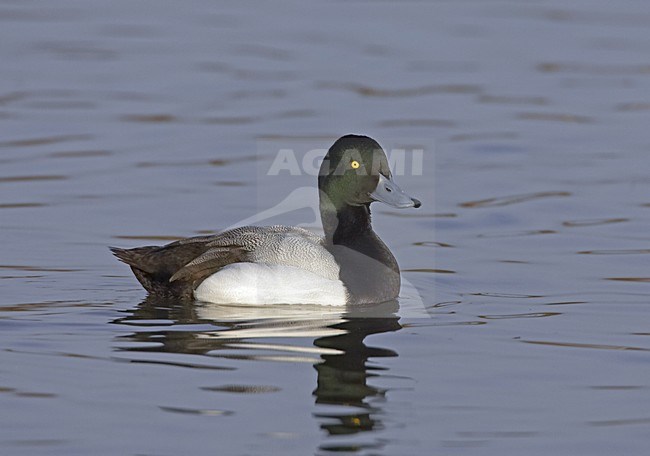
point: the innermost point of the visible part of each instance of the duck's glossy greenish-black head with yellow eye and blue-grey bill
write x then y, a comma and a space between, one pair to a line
355, 172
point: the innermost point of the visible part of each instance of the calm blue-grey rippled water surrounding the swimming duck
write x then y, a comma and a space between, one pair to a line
134, 123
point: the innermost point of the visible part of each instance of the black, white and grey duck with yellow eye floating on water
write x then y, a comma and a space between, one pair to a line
259, 265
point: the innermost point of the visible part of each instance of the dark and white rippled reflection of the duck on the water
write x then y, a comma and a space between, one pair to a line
338, 353
